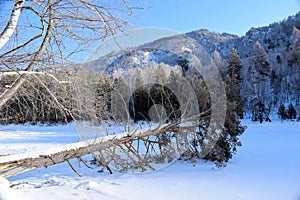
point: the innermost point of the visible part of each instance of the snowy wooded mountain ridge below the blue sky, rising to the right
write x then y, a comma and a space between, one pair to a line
277, 39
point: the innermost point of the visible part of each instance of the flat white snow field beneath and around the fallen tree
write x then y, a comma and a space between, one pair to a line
266, 167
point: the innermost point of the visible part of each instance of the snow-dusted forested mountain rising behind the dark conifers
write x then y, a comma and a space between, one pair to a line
278, 45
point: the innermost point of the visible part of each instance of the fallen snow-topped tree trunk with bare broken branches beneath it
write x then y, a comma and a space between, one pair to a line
12, 165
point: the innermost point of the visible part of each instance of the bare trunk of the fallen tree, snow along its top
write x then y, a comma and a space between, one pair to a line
12, 165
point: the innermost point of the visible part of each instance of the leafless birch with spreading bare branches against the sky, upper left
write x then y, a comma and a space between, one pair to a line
52, 35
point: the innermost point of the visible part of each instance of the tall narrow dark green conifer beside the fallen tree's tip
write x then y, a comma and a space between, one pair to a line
226, 145
